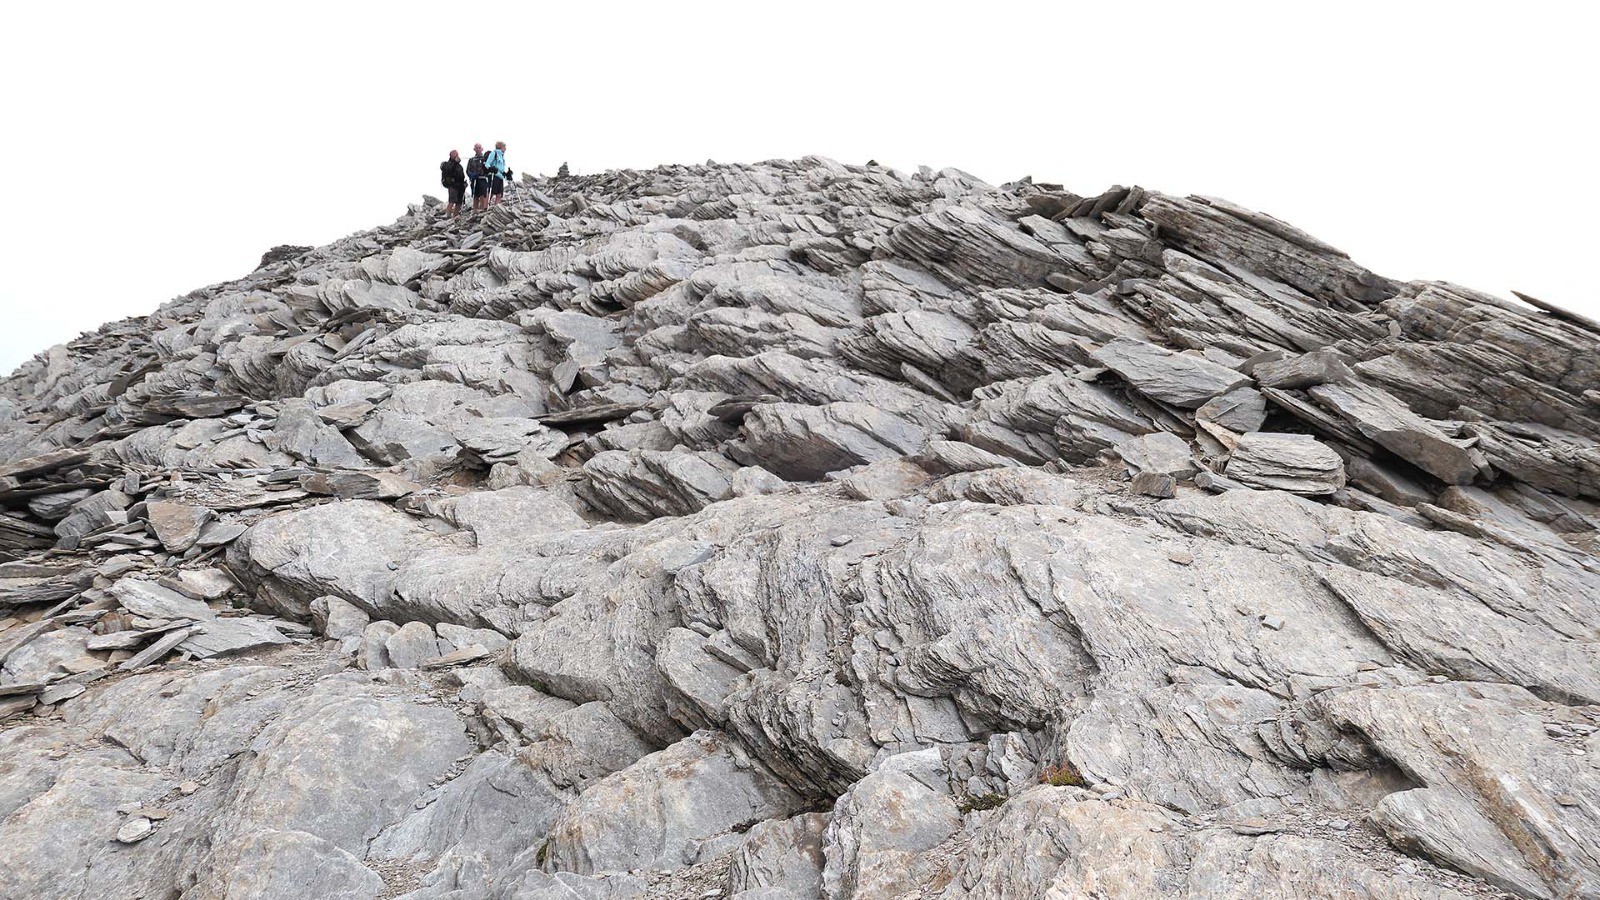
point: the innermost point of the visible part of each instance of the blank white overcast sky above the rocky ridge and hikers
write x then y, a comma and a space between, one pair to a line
156, 148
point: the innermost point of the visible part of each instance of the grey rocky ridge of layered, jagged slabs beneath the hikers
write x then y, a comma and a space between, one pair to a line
799, 531
